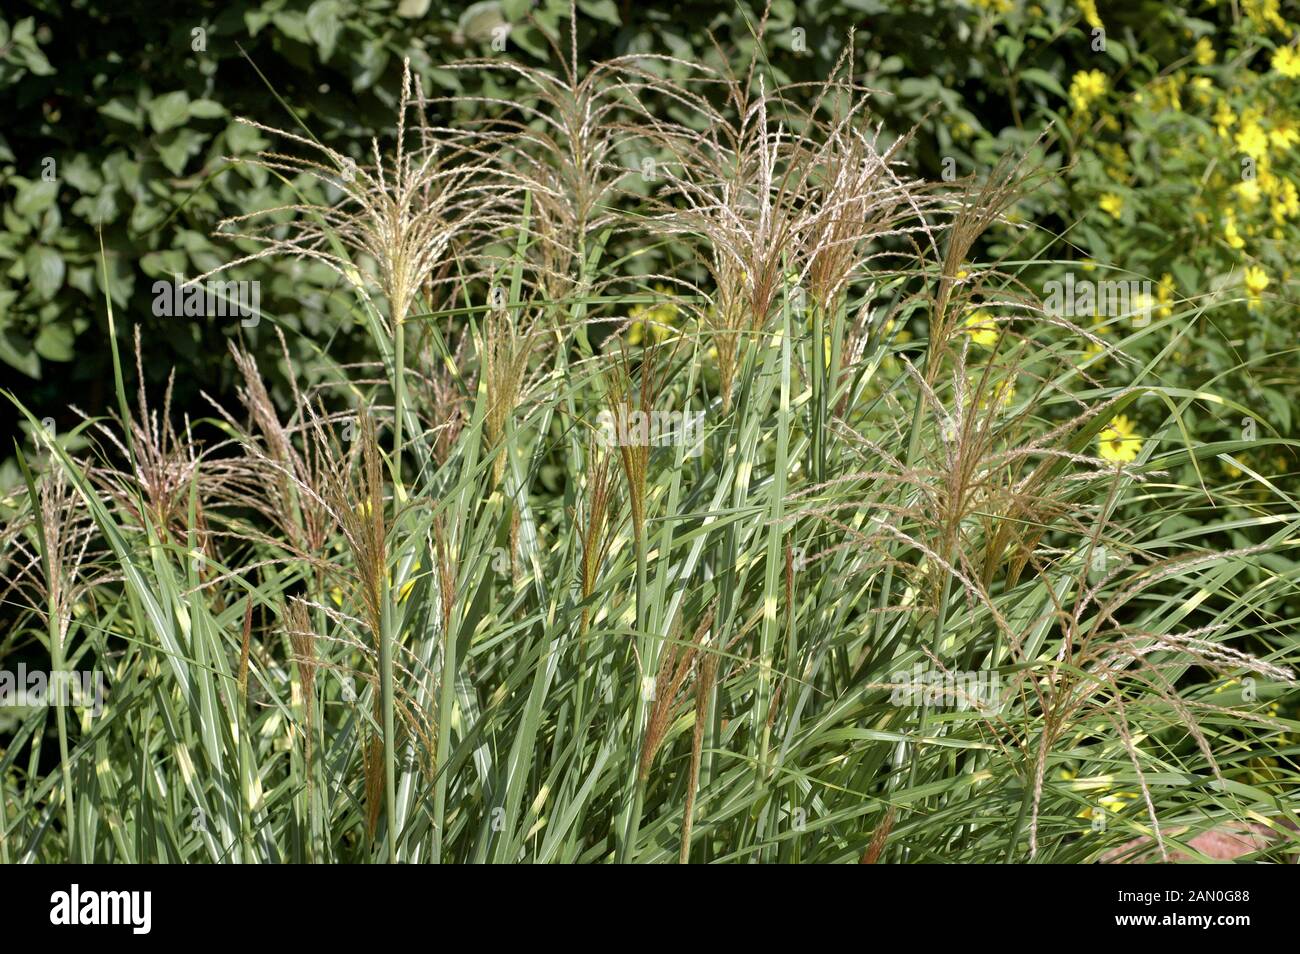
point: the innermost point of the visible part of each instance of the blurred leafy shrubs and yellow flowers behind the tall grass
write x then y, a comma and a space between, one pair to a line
1175, 127
